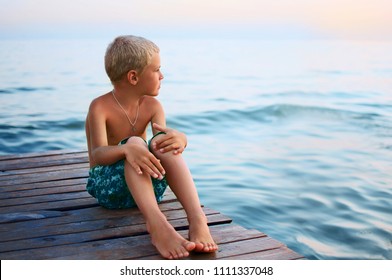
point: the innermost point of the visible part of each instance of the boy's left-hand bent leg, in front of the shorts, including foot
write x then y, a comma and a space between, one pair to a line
168, 242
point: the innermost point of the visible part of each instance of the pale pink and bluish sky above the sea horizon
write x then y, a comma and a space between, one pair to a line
342, 19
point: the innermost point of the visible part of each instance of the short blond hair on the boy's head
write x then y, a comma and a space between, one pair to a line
128, 53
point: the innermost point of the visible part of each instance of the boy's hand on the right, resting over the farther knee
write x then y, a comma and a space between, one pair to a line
172, 140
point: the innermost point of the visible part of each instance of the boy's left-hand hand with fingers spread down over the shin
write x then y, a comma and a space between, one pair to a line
143, 160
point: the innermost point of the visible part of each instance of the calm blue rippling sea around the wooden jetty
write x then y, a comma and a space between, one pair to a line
293, 138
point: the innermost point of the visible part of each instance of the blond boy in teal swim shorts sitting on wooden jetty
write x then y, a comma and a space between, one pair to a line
125, 171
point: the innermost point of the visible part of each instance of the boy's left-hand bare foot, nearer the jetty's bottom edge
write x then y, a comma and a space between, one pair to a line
169, 243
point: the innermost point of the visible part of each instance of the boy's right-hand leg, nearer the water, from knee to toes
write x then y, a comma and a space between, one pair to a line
181, 182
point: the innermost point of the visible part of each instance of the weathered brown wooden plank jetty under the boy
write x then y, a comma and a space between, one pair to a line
46, 213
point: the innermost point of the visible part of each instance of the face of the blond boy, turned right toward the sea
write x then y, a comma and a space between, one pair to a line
150, 78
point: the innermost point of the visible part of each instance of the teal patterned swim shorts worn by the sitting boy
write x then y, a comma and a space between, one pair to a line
107, 184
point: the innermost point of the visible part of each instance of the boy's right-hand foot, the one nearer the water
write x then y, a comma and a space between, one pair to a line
199, 233
